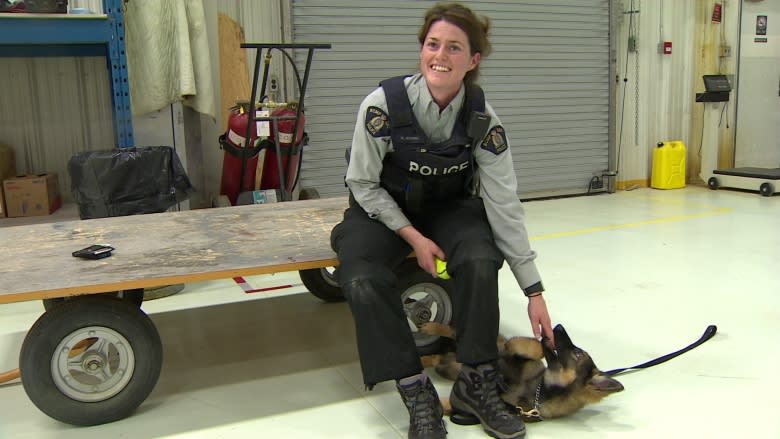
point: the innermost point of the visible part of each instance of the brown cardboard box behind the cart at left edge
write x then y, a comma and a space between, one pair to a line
32, 195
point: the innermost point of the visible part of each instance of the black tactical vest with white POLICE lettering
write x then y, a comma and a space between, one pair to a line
418, 173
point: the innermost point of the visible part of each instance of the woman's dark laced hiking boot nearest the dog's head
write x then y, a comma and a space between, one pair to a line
475, 393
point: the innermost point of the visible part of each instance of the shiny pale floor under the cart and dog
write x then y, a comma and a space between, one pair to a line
632, 275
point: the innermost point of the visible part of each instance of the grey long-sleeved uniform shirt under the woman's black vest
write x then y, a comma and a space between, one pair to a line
498, 183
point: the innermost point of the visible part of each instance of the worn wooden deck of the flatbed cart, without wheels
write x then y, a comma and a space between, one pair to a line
166, 248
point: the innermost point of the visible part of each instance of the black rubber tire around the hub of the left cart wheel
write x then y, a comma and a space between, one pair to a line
39, 352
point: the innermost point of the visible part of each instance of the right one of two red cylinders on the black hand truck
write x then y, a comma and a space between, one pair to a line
290, 152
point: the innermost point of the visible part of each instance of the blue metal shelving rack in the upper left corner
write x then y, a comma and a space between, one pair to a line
24, 35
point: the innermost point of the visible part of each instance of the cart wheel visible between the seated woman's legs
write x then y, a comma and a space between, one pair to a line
425, 299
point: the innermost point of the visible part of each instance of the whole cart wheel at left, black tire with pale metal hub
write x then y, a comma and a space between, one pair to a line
91, 360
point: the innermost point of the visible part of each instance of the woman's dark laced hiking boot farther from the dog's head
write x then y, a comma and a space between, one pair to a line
426, 415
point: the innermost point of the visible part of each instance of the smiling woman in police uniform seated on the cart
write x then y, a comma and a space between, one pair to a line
423, 179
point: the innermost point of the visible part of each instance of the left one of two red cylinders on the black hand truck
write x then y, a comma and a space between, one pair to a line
240, 156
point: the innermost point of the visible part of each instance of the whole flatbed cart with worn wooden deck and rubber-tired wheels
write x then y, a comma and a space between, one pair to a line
95, 358
